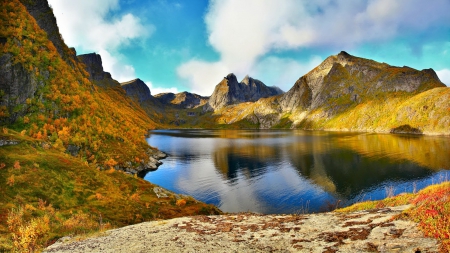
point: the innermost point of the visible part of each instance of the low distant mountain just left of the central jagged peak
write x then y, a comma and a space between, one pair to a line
184, 100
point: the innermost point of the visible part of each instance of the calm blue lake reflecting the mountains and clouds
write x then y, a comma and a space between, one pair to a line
294, 171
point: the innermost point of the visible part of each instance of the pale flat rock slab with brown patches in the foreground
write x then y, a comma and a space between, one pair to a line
365, 231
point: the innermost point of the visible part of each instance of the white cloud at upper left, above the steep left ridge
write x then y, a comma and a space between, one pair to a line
86, 26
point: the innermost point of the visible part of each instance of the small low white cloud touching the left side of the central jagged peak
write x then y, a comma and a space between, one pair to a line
202, 76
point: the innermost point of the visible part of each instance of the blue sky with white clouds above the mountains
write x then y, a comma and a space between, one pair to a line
176, 46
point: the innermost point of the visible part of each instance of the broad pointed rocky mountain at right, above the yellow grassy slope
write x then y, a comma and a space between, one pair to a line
351, 80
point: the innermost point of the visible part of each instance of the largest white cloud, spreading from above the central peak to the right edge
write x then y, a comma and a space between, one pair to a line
243, 32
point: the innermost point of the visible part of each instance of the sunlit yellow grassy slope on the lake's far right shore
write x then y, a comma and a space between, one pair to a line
428, 112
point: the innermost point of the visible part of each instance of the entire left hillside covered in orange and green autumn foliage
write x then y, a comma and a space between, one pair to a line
66, 142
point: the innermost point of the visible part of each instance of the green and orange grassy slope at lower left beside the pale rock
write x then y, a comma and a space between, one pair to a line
46, 194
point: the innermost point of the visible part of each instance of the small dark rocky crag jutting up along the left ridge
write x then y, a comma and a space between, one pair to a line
94, 67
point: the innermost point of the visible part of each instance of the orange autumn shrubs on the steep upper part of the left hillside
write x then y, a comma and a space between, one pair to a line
68, 108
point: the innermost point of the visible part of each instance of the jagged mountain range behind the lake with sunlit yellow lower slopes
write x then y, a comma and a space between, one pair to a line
344, 92
